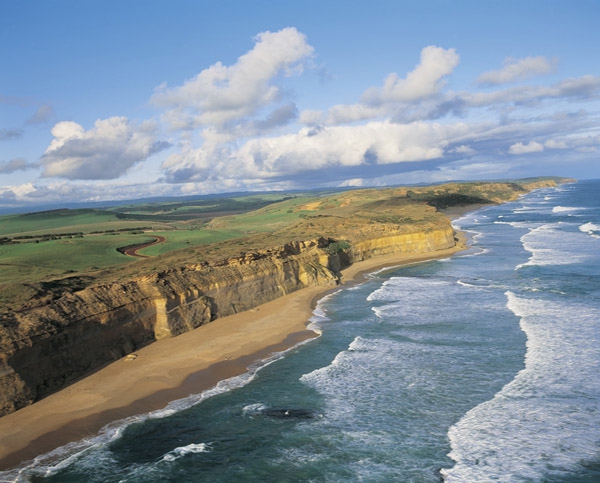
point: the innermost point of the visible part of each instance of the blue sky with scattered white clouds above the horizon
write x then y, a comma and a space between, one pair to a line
128, 99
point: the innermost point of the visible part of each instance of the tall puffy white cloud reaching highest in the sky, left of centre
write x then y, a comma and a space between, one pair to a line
222, 94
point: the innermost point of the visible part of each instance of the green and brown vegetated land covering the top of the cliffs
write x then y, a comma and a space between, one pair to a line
83, 244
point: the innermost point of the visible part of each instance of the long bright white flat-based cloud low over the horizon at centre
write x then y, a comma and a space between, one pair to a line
375, 143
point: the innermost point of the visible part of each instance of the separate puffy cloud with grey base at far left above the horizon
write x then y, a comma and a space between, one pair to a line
105, 151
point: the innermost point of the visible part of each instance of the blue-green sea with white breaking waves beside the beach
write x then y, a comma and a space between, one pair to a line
480, 367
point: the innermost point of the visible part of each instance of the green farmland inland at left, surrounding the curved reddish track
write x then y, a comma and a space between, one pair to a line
57, 243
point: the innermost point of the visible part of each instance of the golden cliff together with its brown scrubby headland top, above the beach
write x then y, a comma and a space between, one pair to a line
73, 326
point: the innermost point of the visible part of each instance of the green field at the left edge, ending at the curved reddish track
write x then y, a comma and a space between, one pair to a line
25, 262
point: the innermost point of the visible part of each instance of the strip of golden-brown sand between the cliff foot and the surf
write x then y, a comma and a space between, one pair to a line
174, 368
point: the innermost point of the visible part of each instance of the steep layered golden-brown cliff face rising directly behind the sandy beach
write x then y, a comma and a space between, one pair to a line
74, 332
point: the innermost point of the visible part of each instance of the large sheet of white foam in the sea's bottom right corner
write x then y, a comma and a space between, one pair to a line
534, 426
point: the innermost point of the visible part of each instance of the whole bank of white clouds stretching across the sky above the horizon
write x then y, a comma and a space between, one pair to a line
237, 132
